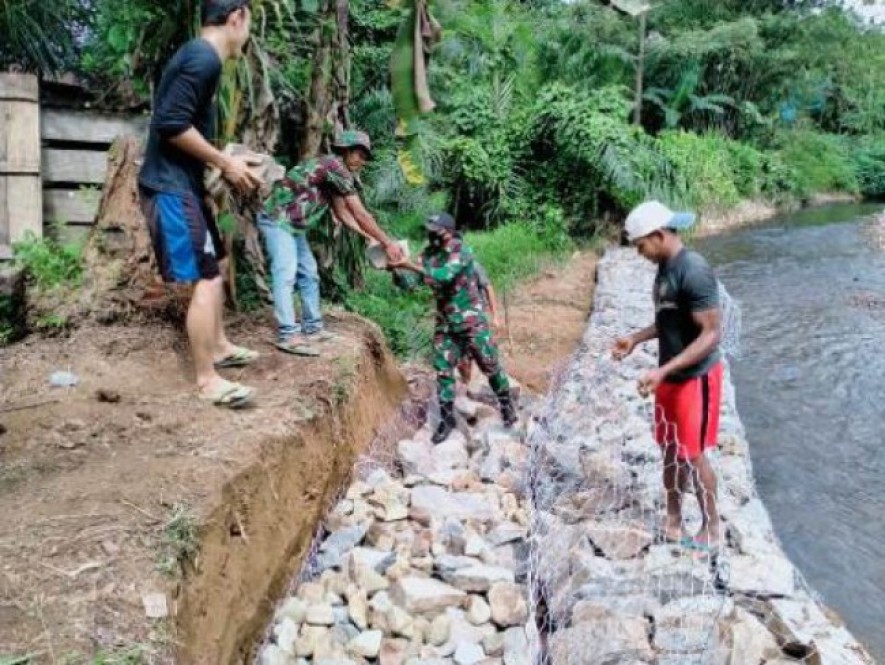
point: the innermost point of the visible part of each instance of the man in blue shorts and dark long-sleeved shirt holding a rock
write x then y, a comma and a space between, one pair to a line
183, 230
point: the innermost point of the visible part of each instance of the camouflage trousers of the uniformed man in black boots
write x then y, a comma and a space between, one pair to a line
448, 350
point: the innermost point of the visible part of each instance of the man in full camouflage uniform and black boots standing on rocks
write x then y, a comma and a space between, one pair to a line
462, 326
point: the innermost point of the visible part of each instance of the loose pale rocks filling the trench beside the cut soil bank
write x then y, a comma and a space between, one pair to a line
422, 566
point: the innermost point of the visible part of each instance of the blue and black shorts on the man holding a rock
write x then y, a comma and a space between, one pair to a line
186, 241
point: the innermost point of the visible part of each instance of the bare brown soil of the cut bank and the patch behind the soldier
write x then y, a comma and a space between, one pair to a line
87, 485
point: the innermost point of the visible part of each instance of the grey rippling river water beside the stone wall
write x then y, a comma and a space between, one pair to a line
811, 392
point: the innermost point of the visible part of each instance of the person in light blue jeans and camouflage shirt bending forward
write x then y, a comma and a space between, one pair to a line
313, 191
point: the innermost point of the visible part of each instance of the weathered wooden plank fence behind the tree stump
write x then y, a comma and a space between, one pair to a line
53, 162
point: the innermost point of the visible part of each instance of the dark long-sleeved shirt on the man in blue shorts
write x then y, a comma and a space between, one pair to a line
185, 99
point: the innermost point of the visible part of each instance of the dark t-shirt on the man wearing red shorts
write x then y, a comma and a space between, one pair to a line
684, 285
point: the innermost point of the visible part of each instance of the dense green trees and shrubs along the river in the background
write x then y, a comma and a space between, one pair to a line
533, 137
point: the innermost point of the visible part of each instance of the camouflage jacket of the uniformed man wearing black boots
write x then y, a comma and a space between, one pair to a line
450, 271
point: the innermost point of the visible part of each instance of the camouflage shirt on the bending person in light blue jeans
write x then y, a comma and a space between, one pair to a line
303, 197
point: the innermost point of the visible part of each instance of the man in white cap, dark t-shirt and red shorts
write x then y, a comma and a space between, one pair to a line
688, 381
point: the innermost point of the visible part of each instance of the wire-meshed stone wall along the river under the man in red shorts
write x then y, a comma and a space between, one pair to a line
611, 592
